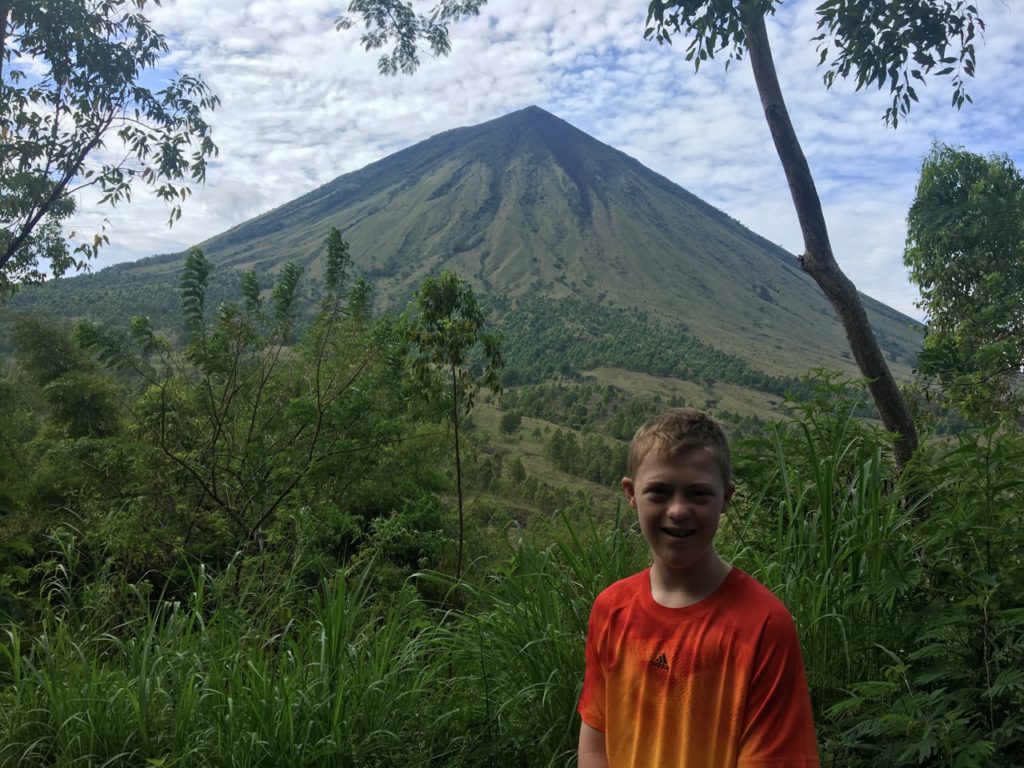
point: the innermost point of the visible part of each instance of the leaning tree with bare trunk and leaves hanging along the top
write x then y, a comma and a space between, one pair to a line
876, 42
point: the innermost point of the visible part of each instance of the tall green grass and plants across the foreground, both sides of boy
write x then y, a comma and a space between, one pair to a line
905, 589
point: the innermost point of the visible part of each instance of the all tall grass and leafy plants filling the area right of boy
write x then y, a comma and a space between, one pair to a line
906, 588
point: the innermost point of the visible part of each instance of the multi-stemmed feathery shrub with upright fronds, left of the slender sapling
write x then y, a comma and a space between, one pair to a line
251, 428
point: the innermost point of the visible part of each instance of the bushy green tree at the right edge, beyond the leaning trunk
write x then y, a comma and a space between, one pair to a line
965, 250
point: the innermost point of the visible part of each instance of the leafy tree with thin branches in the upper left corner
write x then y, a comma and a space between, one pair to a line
72, 75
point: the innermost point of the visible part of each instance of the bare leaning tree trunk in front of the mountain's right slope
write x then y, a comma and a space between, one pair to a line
819, 260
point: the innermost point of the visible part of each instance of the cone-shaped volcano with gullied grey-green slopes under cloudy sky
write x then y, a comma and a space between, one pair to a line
528, 205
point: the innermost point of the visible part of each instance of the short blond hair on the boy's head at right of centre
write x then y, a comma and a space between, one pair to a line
677, 431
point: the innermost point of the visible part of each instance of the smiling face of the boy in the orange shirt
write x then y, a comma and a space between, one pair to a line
680, 500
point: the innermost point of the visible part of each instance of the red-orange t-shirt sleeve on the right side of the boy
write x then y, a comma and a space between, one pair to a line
779, 726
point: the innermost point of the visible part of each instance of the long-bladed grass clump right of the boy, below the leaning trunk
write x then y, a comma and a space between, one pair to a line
836, 550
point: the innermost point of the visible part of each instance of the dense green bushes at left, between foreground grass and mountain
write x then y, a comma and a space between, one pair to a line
245, 440
